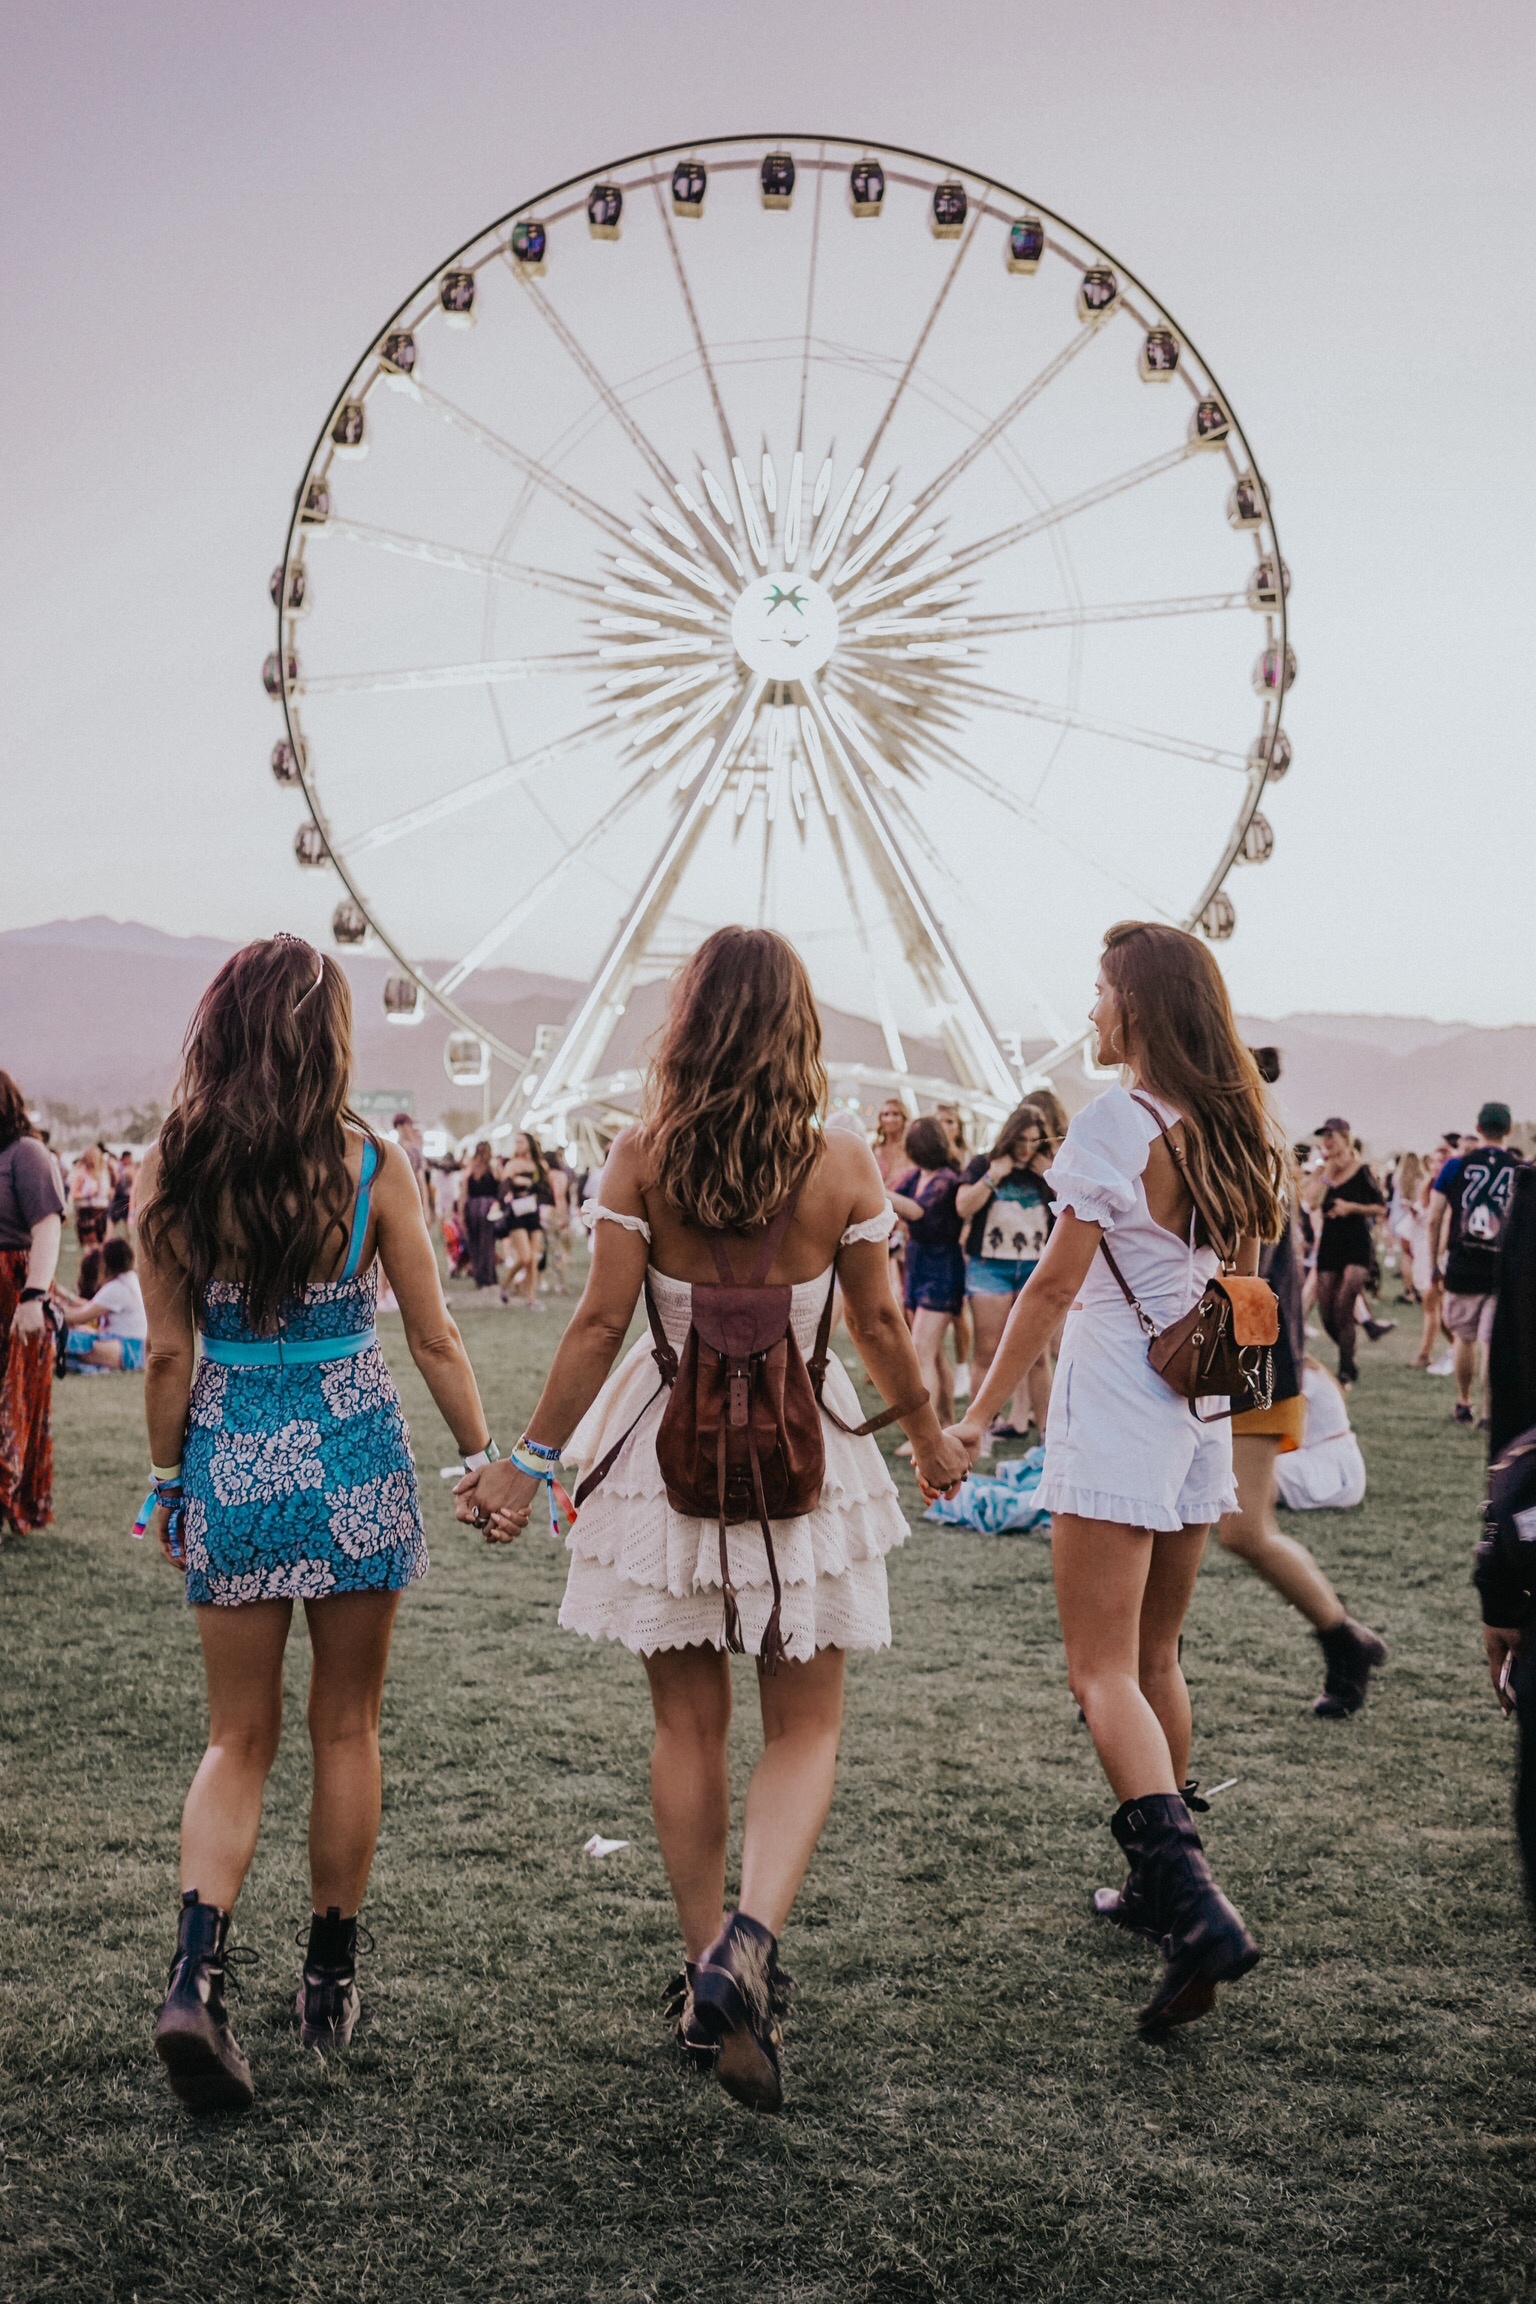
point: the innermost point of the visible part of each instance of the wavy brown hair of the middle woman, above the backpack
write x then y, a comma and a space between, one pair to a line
736, 1084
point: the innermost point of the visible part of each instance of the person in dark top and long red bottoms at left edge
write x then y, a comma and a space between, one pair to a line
31, 1234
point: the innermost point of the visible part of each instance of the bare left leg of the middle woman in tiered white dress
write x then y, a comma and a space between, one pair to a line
690, 1787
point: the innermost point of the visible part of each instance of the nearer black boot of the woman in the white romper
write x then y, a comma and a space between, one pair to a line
1203, 1939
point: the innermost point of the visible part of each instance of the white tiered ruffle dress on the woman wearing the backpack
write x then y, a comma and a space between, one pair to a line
651, 1577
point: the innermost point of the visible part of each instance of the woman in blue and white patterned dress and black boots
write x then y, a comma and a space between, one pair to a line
282, 1462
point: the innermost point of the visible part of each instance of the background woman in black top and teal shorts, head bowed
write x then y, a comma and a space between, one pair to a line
1005, 1208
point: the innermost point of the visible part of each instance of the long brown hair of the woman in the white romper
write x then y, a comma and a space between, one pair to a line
1180, 1020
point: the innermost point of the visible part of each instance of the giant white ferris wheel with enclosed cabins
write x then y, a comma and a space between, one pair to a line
780, 531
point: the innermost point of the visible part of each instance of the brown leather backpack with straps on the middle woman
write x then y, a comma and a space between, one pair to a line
743, 1432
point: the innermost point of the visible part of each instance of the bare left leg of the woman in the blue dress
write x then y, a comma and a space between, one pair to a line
243, 1658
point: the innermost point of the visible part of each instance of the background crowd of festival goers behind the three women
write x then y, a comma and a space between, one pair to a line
971, 1231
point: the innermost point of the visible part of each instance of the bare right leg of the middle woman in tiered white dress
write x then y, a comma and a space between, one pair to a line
791, 1791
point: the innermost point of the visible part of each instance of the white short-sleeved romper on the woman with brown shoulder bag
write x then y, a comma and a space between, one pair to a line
1120, 1446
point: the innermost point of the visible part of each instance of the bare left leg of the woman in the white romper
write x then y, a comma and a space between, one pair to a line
1102, 1575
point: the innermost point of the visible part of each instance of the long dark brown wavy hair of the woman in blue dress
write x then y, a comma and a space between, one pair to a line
254, 1155
